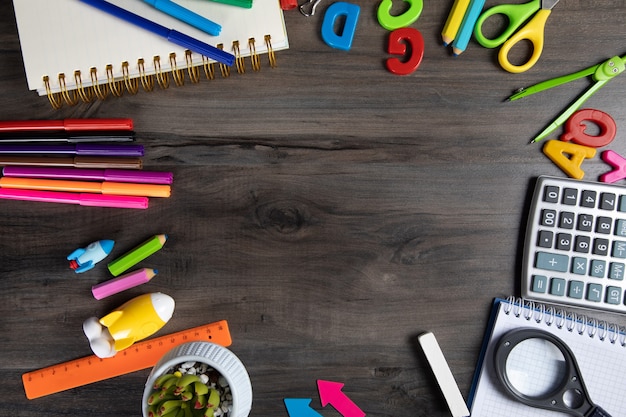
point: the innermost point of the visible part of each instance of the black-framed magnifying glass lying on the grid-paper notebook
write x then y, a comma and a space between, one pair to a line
539, 370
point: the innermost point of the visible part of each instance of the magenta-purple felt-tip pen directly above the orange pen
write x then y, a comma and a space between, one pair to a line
85, 174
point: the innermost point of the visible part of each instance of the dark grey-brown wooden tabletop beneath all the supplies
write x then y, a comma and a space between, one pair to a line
329, 210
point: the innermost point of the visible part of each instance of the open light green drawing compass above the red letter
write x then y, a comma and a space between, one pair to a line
600, 74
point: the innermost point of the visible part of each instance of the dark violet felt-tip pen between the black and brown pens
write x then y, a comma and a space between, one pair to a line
94, 149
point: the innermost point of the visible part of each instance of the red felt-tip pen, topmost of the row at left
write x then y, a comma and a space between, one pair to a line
68, 125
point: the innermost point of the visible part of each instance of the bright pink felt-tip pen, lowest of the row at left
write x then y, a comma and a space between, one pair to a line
83, 199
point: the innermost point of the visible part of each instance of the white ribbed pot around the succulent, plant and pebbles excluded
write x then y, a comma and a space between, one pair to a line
219, 358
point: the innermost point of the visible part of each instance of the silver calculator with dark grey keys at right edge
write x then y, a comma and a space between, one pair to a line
575, 244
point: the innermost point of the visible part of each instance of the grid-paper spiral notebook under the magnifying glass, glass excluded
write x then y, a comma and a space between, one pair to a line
599, 348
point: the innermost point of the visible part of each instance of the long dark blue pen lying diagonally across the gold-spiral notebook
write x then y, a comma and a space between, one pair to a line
171, 35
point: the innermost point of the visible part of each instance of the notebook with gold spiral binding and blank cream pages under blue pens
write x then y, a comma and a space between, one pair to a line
74, 52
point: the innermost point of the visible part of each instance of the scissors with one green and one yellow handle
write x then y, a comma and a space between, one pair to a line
533, 31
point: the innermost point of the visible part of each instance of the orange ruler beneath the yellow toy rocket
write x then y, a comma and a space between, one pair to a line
140, 355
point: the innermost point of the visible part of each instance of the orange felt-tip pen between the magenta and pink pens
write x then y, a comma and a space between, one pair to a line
105, 187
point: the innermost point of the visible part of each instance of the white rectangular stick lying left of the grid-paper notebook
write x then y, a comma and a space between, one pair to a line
444, 376
